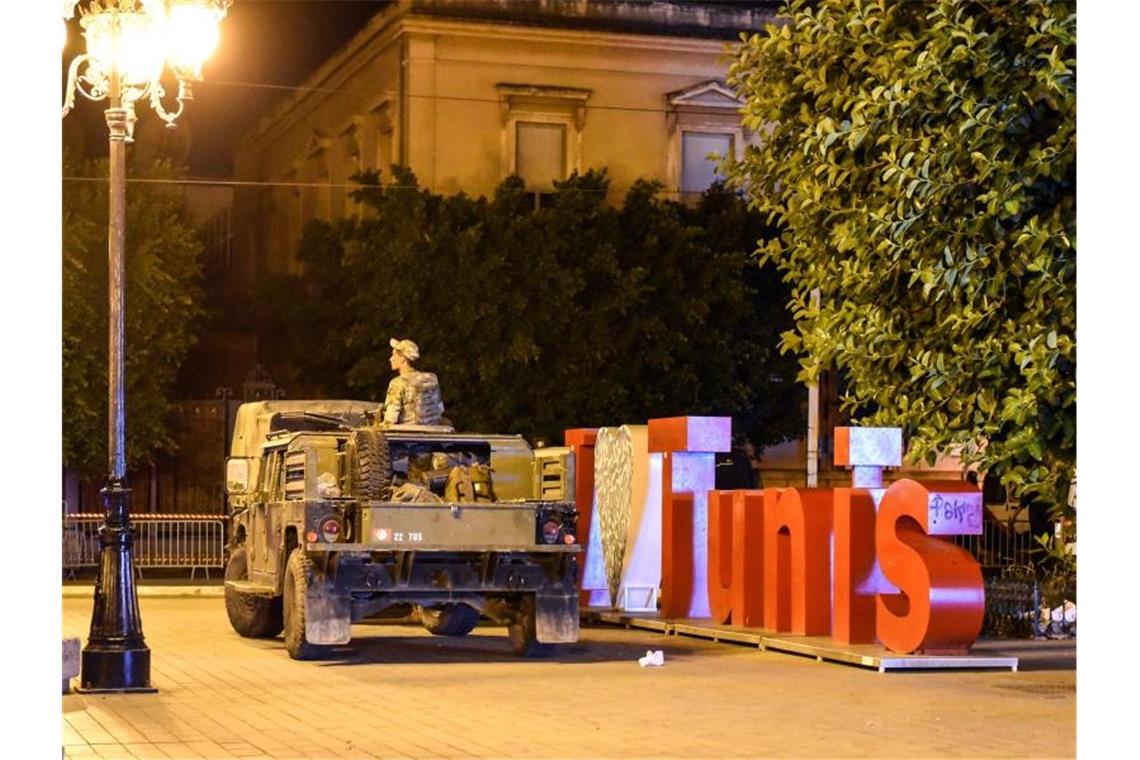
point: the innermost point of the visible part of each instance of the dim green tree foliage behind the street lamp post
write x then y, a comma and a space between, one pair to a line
162, 301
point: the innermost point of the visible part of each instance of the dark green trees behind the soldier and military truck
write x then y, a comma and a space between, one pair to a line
579, 314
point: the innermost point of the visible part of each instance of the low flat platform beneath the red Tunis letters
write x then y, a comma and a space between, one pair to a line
825, 650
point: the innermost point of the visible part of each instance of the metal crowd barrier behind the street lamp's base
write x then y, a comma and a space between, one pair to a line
193, 542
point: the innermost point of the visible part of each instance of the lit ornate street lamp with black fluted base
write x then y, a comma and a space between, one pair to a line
128, 45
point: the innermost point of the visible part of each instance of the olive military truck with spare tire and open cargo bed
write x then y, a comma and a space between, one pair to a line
337, 518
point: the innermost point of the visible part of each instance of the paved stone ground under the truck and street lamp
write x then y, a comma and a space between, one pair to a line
397, 692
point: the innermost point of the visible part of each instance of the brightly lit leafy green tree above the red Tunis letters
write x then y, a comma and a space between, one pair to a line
921, 160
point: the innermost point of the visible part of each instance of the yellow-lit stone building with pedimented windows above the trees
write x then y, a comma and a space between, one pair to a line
467, 93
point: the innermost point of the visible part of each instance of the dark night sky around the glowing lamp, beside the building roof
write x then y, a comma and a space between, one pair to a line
266, 46
